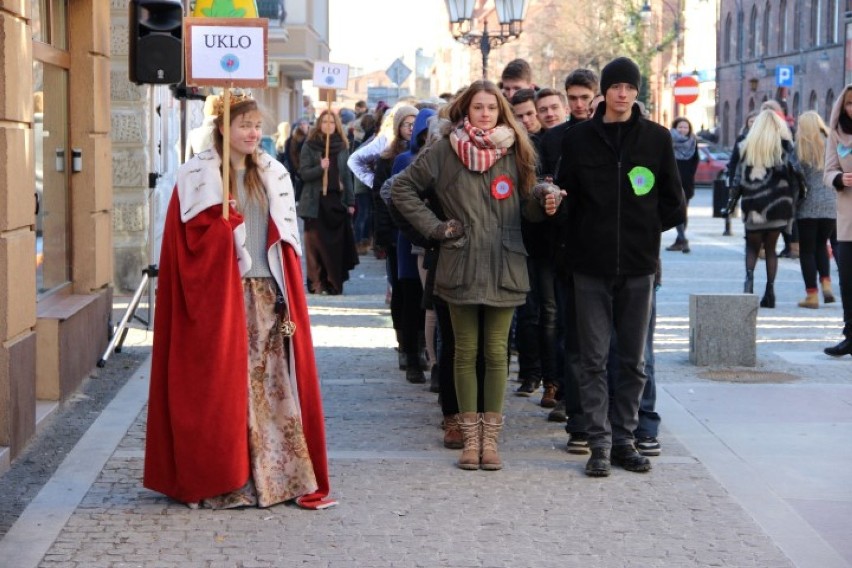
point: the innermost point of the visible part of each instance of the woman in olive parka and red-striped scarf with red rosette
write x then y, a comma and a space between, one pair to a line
481, 171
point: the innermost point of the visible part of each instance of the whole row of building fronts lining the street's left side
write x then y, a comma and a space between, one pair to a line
87, 163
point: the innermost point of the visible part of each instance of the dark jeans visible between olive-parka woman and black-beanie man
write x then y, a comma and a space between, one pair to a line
536, 330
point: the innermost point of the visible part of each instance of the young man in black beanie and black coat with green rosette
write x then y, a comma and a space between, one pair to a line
623, 190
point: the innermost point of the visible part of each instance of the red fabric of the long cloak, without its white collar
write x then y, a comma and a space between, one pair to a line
196, 445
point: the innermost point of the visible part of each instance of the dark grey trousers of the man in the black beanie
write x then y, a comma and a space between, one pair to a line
619, 304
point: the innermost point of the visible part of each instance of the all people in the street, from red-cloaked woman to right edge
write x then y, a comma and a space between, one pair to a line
510, 218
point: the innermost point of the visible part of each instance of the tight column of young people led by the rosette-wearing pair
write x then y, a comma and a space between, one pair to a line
484, 253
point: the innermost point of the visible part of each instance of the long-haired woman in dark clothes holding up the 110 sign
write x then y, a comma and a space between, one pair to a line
329, 243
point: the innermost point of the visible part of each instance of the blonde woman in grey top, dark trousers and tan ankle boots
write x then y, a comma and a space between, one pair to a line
816, 213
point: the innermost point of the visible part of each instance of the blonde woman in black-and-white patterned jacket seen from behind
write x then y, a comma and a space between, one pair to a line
766, 181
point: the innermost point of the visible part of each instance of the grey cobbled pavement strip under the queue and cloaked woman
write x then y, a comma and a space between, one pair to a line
403, 503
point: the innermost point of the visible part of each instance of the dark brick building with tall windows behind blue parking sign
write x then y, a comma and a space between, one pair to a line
791, 51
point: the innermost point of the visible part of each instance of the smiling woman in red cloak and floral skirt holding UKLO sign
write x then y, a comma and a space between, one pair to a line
235, 415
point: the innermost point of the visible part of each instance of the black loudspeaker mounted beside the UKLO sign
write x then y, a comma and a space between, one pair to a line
156, 41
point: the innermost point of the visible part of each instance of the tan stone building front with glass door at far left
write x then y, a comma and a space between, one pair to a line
56, 213
